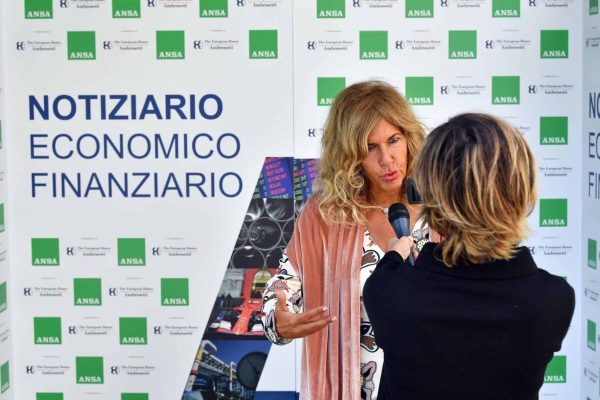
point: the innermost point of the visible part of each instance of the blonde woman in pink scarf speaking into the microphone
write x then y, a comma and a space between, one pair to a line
369, 145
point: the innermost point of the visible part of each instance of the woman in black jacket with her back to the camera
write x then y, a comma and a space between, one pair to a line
474, 318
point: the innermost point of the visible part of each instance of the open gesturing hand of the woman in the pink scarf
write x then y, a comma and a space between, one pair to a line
291, 325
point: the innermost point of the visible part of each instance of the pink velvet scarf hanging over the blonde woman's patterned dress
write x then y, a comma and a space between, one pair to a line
328, 260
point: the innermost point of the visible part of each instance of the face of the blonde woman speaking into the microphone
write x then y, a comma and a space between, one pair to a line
386, 162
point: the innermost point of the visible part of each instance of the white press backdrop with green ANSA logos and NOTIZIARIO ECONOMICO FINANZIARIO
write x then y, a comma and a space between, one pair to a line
158, 151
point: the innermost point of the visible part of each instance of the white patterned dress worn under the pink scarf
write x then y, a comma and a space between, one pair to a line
287, 280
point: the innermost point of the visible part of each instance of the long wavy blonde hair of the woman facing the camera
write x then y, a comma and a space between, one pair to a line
341, 188
